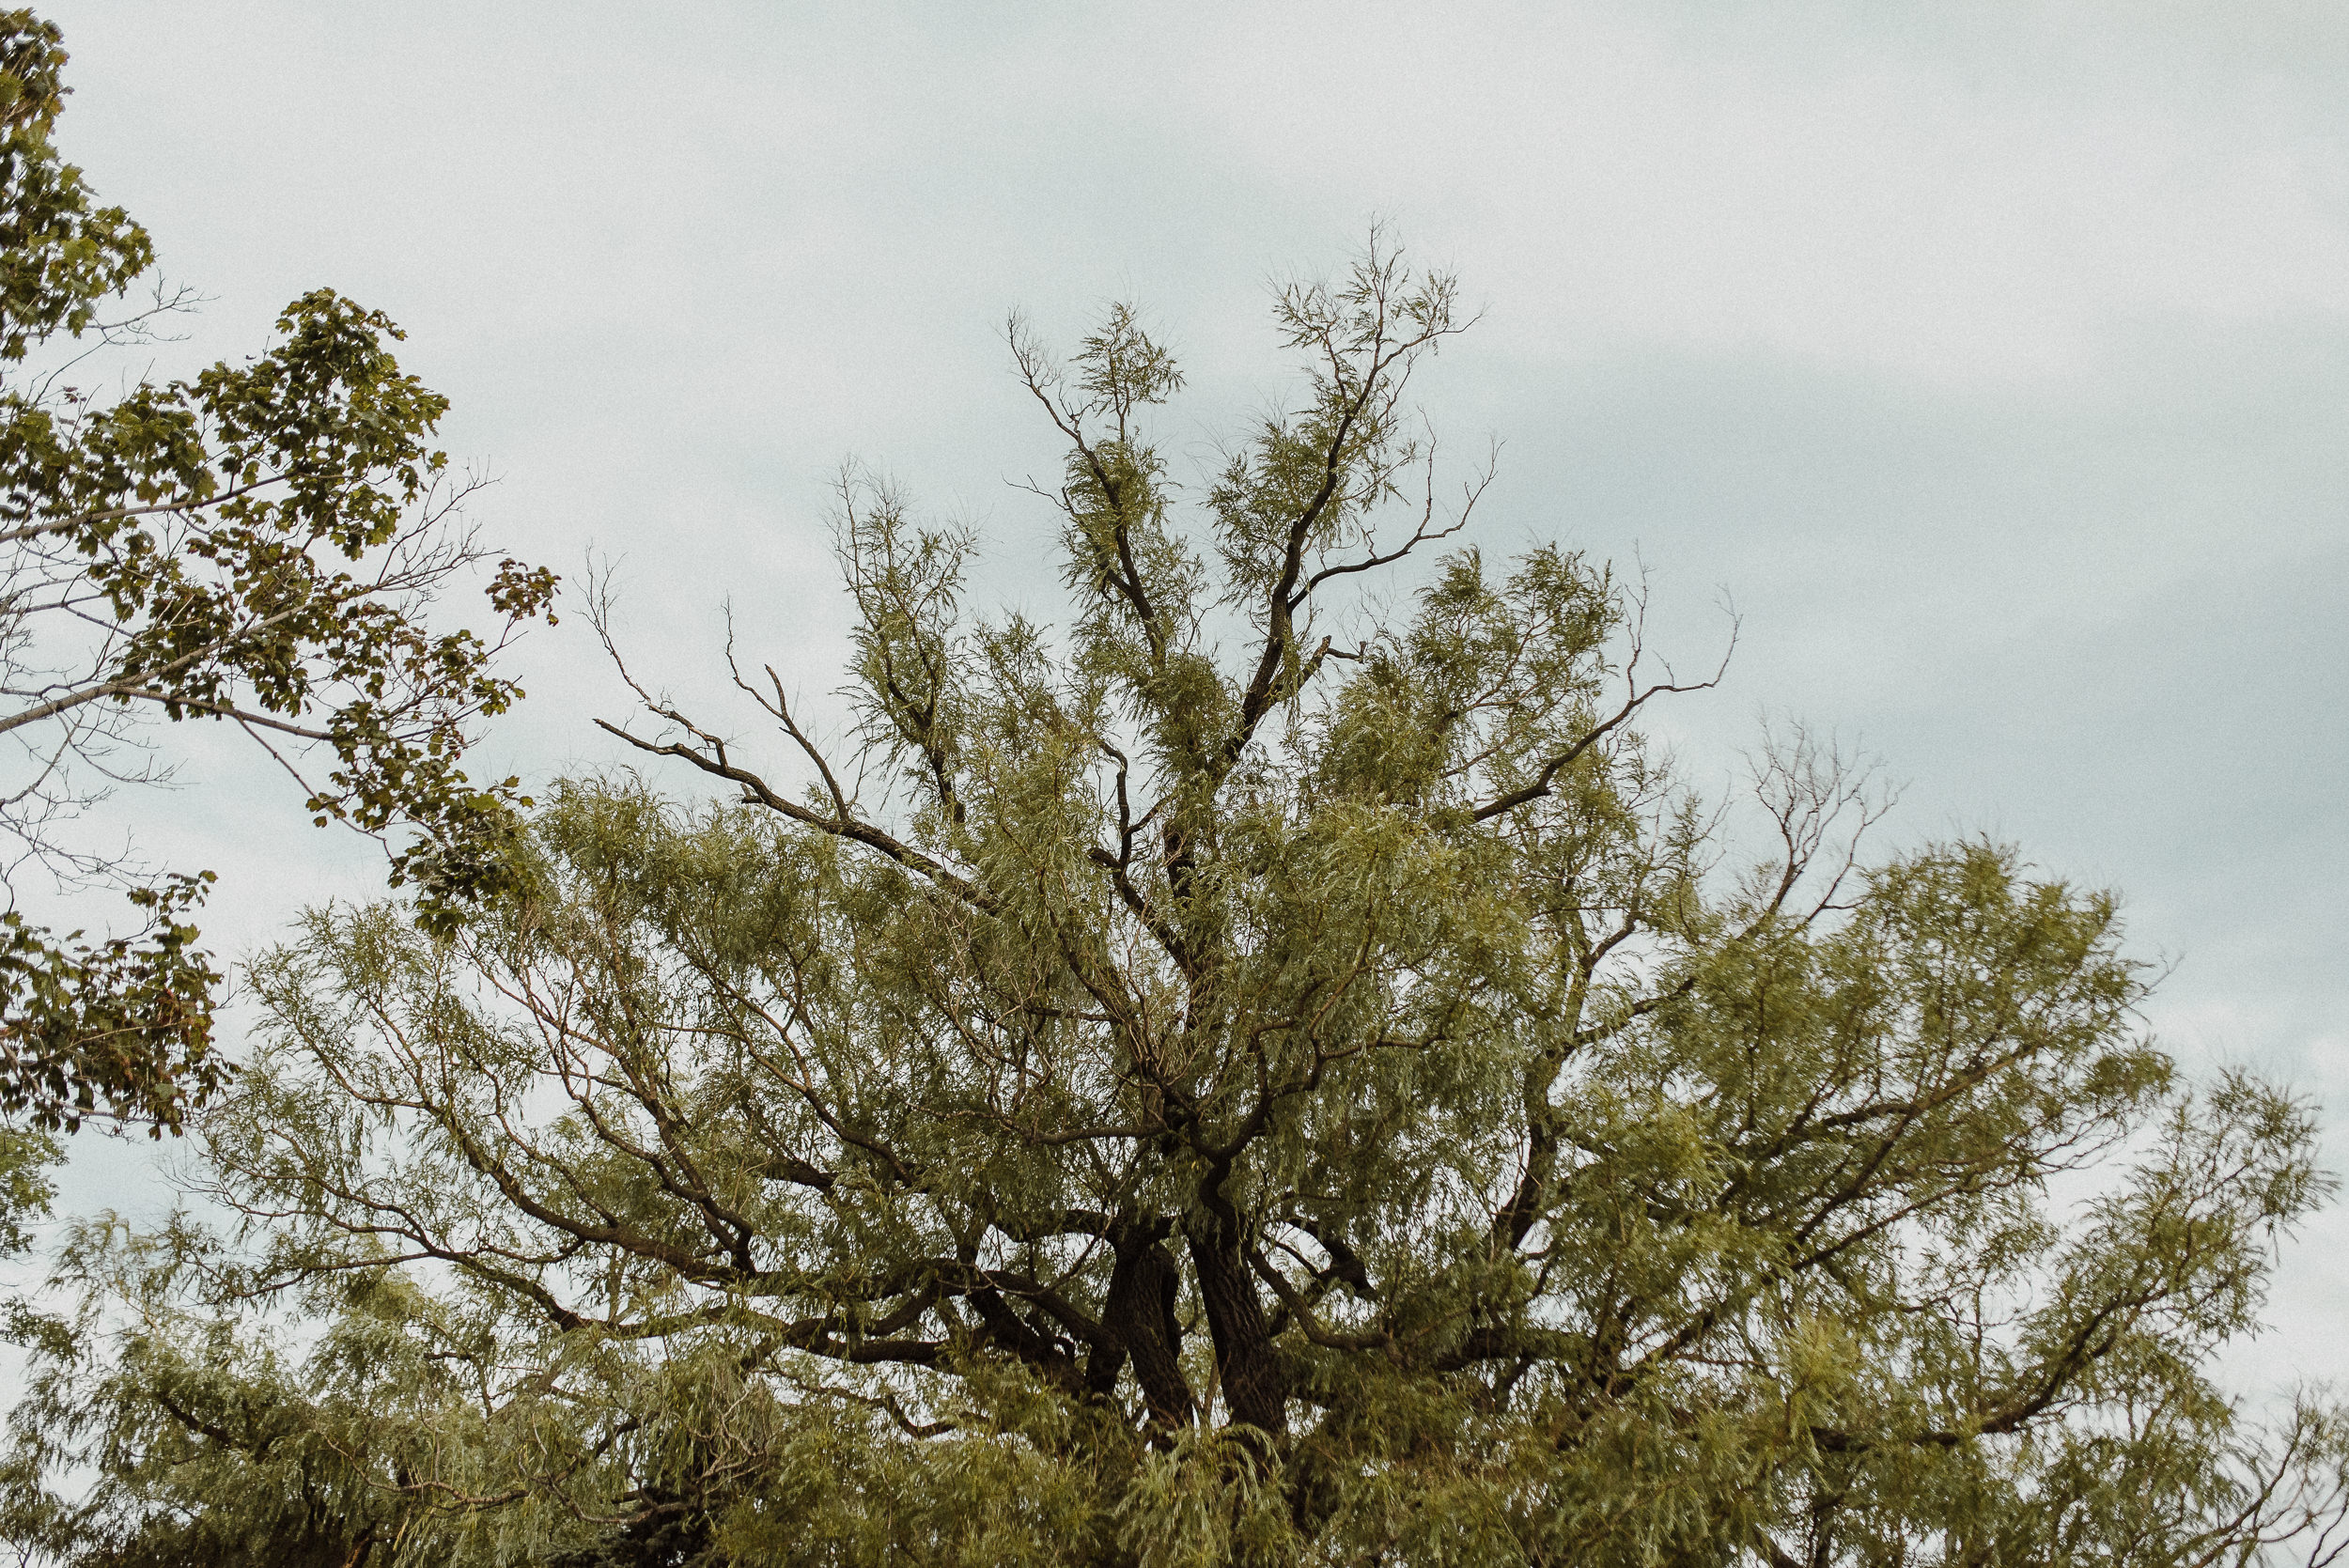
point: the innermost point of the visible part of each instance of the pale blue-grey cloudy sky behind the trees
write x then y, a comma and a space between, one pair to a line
1993, 358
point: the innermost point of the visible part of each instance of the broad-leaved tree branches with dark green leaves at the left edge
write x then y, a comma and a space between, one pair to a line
257, 546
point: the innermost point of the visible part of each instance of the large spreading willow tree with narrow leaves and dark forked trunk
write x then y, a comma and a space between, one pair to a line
1335, 1102
